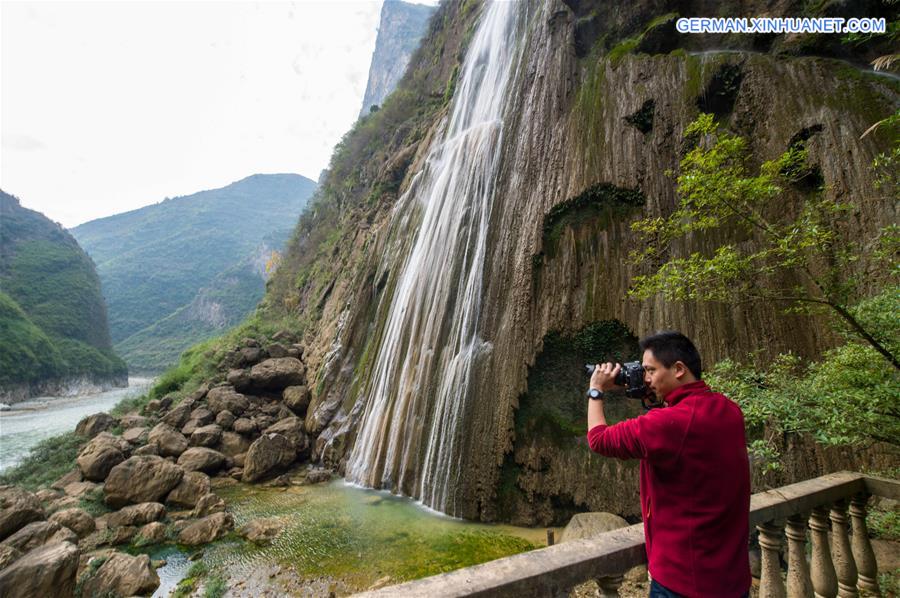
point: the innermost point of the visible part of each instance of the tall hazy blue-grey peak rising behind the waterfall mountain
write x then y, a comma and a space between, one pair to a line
400, 30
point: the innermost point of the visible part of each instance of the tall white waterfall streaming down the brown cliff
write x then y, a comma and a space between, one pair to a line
409, 437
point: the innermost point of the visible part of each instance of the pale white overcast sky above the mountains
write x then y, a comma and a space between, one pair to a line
109, 106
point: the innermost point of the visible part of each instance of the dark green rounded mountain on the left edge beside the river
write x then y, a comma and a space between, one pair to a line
54, 336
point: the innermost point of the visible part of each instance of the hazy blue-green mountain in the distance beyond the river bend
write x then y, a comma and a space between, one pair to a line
183, 261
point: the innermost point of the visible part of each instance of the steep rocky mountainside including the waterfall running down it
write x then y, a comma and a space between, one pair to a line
446, 304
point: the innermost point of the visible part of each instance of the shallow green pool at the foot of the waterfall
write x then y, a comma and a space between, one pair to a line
355, 535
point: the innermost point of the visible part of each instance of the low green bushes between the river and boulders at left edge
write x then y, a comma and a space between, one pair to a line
48, 461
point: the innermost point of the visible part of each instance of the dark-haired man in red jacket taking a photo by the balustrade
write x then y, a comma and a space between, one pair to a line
694, 474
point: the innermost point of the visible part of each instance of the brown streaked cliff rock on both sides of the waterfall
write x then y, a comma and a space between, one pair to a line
592, 129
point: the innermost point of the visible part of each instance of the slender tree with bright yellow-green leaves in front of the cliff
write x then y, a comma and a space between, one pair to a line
769, 242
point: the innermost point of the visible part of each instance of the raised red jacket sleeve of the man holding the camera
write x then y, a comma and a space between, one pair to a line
656, 436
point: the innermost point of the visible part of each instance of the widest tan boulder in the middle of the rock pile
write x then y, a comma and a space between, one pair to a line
144, 478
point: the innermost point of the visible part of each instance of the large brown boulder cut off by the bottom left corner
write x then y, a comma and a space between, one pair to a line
46, 571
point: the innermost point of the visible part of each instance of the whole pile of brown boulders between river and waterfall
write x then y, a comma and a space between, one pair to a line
149, 477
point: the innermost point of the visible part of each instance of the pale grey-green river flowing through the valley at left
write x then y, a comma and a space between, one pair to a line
27, 423
